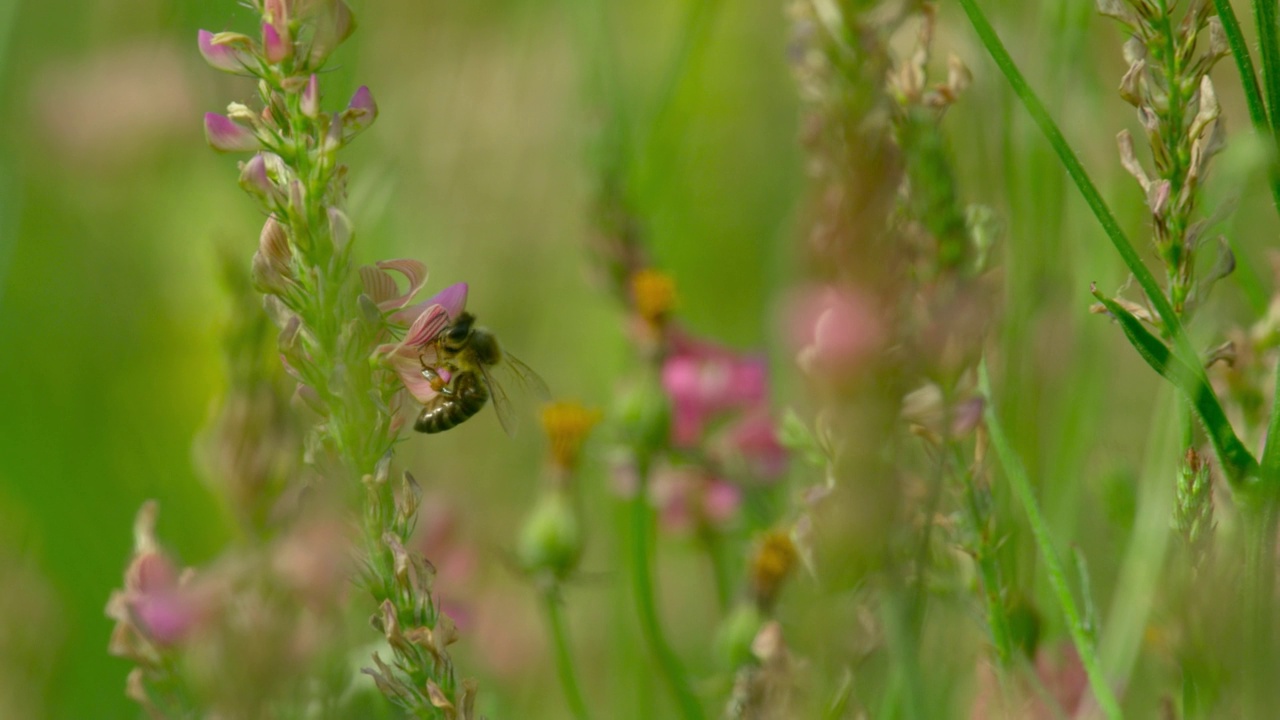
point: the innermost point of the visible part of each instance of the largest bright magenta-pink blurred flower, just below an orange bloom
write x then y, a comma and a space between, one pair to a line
705, 381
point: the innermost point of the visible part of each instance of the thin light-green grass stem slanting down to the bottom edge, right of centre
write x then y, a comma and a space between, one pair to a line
1022, 487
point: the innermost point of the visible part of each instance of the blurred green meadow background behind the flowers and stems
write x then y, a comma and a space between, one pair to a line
113, 212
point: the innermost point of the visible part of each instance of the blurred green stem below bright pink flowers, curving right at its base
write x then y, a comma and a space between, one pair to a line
642, 580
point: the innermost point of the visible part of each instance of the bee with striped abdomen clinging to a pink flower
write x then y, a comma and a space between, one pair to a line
463, 377
